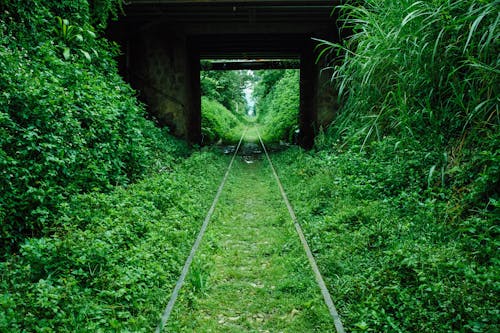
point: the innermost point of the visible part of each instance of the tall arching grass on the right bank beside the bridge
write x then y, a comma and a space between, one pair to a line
426, 72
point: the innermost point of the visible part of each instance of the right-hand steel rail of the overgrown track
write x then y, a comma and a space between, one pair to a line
319, 278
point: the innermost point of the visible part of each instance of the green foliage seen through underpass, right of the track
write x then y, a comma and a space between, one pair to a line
278, 99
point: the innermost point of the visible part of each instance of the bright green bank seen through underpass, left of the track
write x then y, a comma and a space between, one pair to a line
218, 123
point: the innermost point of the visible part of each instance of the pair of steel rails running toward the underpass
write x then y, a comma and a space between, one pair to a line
319, 279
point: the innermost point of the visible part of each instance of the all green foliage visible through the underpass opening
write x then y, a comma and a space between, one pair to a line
277, 104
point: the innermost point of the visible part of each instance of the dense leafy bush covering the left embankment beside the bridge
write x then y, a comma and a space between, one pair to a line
68, 122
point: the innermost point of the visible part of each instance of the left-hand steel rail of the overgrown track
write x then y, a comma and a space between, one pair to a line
189, 260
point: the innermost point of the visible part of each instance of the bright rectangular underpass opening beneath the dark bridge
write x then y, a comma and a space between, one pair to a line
260, 93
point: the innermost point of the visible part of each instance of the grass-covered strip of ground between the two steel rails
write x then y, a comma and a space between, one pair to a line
251, 274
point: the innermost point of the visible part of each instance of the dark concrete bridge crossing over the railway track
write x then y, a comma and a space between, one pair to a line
163, 42
